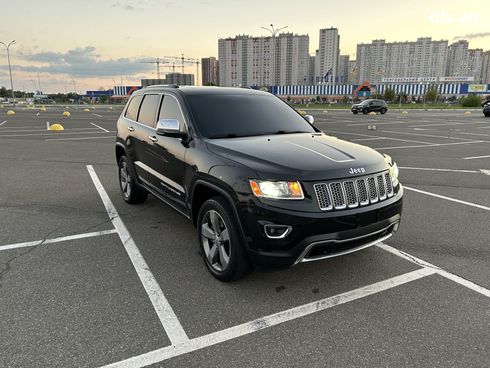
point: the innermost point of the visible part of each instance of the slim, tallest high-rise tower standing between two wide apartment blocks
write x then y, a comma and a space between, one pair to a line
329, 50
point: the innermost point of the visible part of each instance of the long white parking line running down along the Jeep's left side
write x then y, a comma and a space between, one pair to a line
169, 320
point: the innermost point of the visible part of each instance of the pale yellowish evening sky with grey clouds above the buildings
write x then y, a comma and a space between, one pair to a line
84, 45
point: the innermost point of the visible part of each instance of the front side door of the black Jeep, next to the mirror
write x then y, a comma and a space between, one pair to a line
167, 156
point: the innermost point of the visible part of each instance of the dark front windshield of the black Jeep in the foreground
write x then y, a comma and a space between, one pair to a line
229, 116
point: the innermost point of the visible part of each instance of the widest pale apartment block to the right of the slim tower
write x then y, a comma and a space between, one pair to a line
423, 58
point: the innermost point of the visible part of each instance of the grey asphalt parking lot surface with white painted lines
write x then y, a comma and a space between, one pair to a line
88, 281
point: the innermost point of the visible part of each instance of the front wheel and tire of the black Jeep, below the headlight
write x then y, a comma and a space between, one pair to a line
221, 245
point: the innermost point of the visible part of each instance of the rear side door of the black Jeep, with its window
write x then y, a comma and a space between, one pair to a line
143, 130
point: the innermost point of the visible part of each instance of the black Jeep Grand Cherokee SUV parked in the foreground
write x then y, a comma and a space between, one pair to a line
263, 186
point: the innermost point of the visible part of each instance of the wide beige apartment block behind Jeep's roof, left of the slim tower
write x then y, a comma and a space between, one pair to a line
264, 61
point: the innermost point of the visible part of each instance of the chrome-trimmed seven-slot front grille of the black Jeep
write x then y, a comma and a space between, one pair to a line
339, 195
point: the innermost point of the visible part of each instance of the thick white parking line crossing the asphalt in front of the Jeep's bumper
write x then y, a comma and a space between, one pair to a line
259, 324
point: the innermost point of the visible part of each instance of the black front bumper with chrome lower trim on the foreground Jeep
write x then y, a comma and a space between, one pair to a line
316, 236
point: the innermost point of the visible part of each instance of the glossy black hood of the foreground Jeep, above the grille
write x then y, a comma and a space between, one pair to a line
303, 156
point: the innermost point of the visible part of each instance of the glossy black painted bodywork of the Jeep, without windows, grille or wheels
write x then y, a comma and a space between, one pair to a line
226, 165
